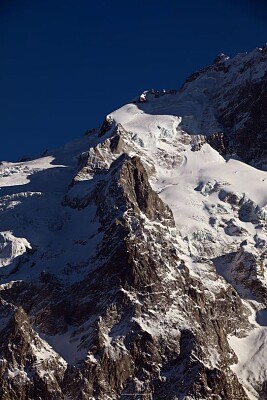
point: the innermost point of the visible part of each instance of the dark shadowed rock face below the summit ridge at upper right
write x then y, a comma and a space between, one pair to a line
238, 96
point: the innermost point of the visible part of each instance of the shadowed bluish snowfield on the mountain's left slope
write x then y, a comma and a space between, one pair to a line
31, 203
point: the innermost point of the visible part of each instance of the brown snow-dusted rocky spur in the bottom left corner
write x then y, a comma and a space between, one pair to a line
30, 368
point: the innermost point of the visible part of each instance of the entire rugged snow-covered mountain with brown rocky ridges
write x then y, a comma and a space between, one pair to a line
133, 260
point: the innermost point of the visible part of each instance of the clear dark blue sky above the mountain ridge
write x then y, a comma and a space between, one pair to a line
65, 64
